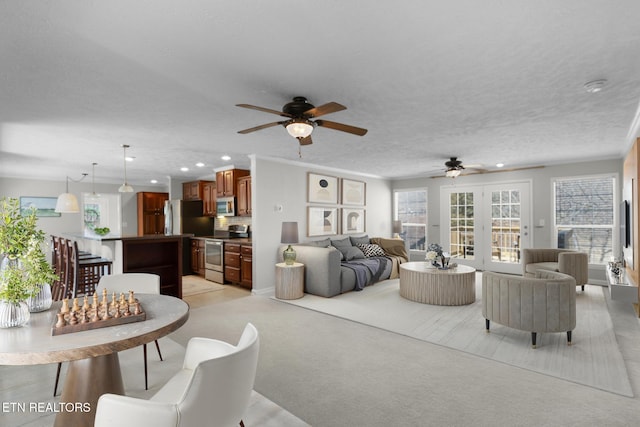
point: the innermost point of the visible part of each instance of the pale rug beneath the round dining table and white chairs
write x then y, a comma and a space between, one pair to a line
26, 384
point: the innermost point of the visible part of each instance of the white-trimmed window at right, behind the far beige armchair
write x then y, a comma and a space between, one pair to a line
585, 213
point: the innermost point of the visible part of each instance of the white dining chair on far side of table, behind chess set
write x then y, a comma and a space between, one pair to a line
139, 283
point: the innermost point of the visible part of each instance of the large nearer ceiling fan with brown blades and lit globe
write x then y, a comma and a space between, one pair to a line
300, 112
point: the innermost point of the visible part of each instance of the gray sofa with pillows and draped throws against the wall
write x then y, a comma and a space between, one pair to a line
324, 273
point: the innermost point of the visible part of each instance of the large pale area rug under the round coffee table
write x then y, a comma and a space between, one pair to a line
594, 359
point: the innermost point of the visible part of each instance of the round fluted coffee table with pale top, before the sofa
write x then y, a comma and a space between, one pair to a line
421, 282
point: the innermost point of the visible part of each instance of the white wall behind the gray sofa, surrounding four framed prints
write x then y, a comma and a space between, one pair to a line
284, 183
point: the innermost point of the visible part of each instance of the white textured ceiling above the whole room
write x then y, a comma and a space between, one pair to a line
488, 82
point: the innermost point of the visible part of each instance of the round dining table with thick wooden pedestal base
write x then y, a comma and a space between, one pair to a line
94, 367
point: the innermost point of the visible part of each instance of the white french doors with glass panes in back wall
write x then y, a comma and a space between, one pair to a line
486, 226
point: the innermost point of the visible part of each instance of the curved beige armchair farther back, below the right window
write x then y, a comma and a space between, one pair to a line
575, 264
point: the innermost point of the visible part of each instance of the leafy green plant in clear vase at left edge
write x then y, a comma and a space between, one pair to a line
23, 266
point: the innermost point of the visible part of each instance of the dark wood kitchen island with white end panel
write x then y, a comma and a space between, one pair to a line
157, 254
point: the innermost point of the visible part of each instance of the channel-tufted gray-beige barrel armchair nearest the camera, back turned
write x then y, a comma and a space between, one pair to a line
544, 303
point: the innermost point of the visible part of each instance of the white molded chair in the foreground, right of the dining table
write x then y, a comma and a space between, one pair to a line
213, 389
